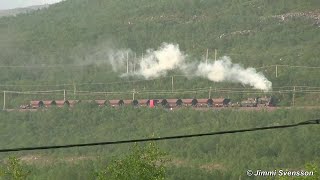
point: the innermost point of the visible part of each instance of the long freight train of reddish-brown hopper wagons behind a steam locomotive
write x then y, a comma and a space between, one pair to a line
167, 103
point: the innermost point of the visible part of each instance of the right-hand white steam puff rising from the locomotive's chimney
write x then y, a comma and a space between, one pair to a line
224, 70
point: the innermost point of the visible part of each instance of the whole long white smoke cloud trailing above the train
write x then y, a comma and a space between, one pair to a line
168, 57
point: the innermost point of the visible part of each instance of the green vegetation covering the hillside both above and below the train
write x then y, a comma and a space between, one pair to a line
75, 37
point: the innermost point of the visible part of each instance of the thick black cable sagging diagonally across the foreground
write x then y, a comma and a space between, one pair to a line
309, 122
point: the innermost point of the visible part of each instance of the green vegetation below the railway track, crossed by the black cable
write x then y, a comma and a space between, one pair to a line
218, 157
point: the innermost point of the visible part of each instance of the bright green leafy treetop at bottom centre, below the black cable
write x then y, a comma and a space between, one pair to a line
142, 163
